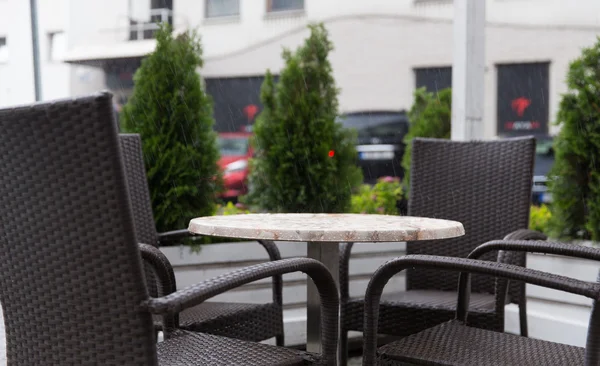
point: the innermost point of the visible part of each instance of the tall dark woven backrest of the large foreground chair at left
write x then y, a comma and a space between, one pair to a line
72, 280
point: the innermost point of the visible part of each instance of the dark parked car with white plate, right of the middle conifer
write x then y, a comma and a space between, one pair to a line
380, 146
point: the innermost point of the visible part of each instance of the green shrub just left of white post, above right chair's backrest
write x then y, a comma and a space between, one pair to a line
429, 116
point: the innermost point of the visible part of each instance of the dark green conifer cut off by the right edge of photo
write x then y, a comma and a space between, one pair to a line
575, 176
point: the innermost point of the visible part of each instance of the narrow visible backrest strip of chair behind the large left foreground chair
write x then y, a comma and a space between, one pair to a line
135, 171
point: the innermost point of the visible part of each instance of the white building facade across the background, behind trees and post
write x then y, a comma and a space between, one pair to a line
377, 43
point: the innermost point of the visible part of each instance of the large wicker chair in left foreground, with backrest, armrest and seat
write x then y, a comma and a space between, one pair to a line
72, 286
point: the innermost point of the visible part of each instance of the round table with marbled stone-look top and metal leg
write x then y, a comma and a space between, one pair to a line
323, 233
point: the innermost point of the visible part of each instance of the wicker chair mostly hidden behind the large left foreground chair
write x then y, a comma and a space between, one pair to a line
251, 322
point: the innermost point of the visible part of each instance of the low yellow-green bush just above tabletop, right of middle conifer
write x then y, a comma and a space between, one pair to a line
382, 198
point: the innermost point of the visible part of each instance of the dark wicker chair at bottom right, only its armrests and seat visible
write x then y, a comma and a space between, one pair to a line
456, 343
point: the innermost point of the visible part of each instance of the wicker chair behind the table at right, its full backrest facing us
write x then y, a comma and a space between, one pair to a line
484, 185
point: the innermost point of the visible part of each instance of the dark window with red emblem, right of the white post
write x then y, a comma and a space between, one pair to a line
523, 99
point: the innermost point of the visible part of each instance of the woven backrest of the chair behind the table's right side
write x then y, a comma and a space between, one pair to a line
486, 185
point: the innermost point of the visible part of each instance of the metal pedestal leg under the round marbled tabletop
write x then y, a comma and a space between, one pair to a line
329, 255
